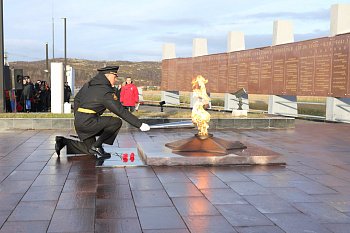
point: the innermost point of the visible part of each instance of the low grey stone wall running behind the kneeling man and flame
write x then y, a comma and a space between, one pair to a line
68, 123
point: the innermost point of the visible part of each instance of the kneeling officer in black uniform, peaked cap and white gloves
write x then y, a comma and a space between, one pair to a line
92, 100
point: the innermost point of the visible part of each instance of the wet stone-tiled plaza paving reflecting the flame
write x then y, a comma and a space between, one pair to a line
41, 193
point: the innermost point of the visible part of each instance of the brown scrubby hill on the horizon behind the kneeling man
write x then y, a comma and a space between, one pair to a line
143, 73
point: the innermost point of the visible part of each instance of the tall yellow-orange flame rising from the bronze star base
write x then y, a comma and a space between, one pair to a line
200, 117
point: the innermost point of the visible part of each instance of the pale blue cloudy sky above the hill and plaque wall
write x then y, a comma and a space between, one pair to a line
135, 30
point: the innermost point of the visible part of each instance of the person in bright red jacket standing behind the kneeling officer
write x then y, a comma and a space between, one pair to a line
129, 95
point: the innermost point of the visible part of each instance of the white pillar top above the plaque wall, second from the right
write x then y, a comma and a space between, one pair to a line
282, 32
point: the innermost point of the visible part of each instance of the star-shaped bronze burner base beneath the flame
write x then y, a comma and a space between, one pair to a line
207, 145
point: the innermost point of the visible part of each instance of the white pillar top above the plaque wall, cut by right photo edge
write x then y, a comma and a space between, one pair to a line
340, 19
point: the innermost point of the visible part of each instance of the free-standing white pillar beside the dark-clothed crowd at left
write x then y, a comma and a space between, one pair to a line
57, 83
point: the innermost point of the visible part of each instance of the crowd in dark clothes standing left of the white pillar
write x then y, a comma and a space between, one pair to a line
33, 97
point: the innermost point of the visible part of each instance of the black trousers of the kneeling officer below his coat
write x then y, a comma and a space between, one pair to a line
107, 135
